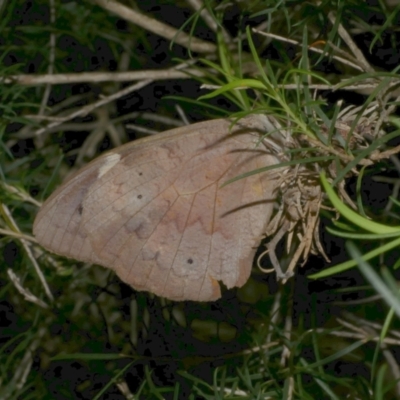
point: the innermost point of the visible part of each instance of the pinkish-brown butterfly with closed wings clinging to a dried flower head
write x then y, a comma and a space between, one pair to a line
156, 212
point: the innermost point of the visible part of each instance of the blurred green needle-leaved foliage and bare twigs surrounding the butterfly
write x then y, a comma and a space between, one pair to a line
69, 330
